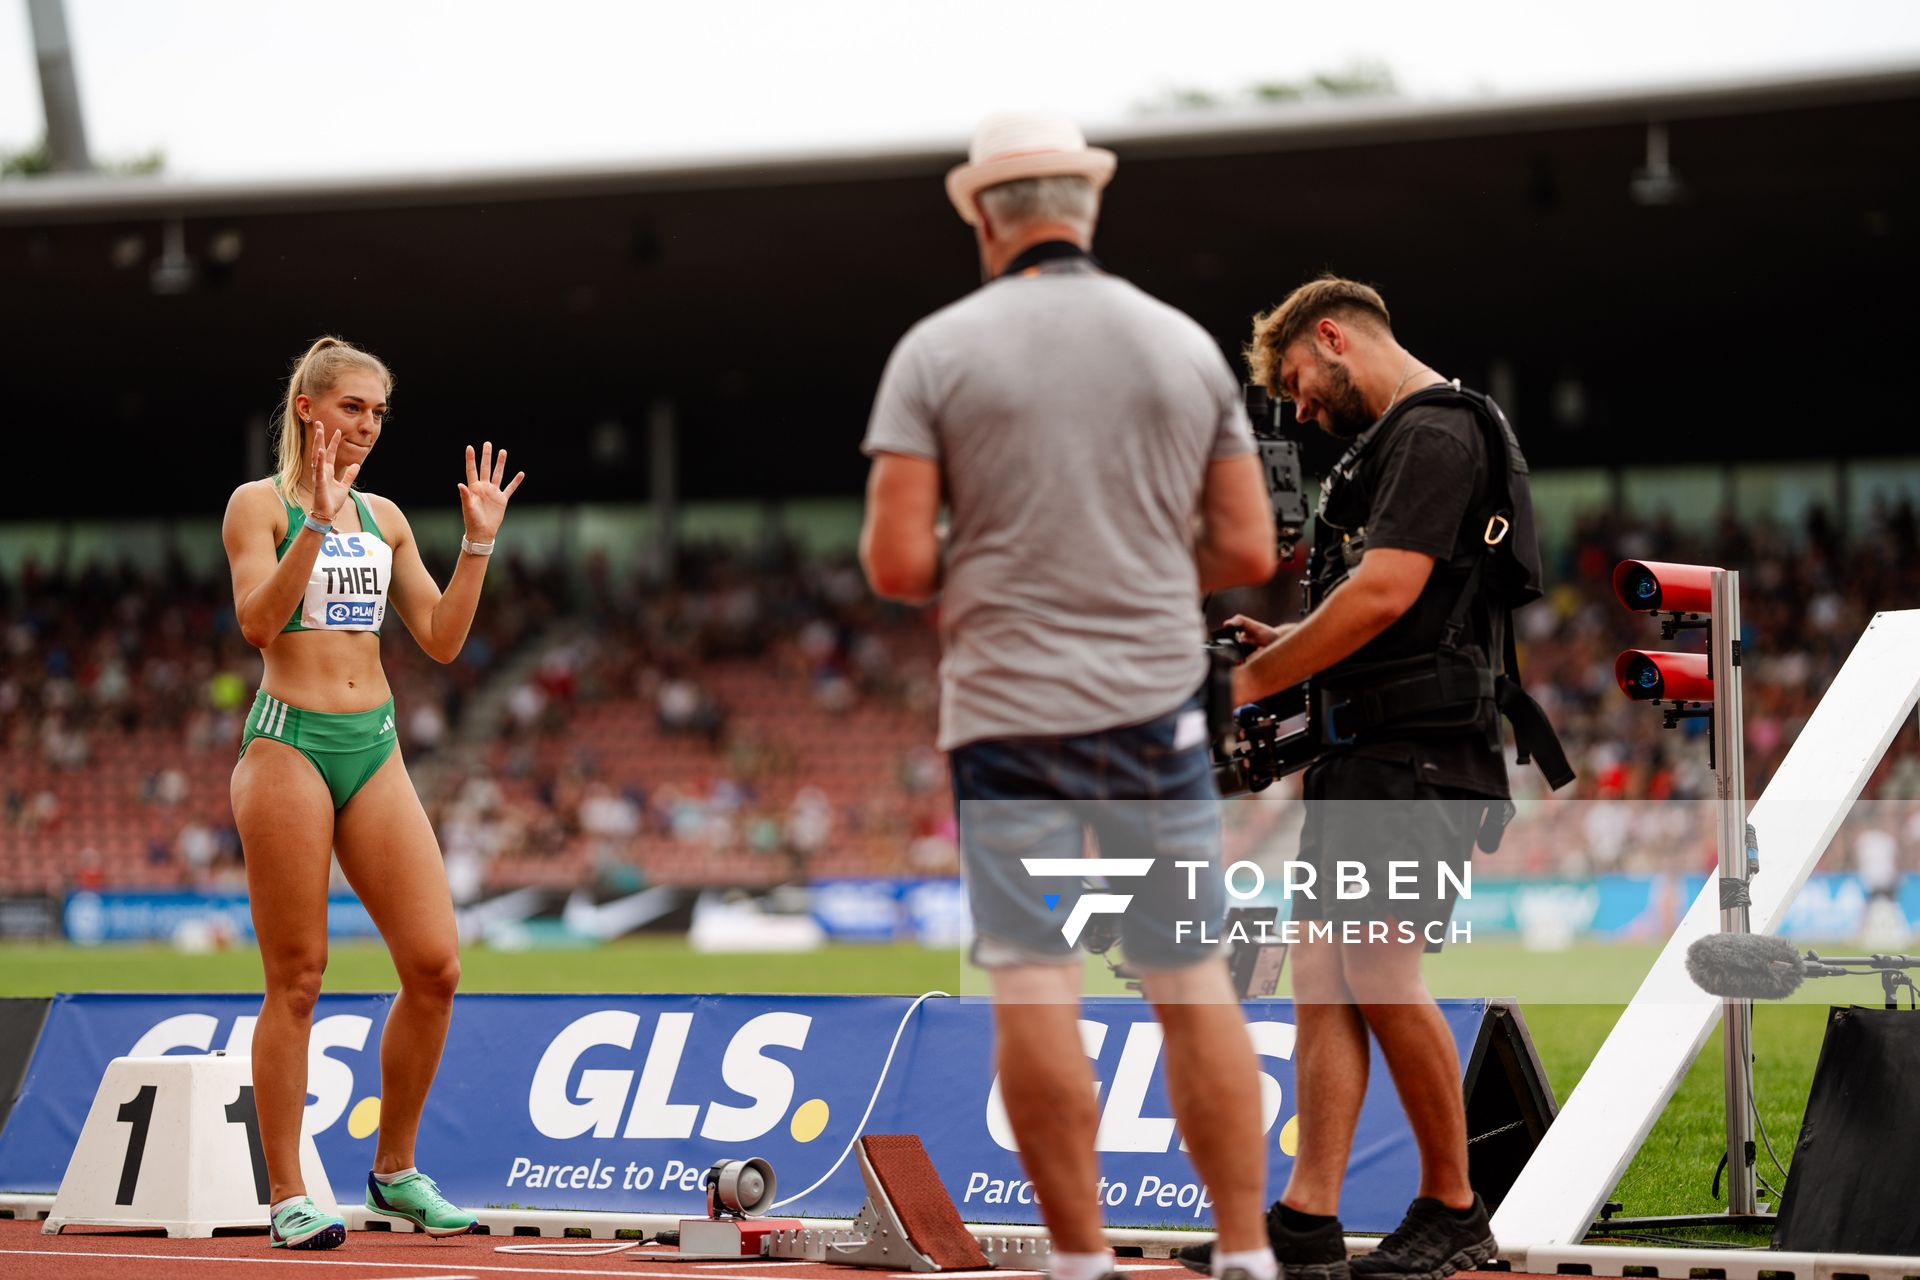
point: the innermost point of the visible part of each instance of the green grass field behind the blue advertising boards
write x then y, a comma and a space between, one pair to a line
1570, 1001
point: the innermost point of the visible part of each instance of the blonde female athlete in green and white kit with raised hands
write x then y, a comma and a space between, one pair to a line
314, 565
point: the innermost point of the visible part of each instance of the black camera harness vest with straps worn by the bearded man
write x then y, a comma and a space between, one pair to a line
1451, 690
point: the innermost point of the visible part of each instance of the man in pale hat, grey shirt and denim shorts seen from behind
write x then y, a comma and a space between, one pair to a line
1099, 475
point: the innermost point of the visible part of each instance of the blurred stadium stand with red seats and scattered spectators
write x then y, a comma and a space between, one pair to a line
757, 719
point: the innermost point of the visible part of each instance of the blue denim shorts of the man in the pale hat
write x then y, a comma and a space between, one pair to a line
1145, 794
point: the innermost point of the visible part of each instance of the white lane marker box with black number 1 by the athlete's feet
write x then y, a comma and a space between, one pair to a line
174, 1143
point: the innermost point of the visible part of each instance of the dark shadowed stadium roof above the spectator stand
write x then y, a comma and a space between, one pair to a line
1748, 302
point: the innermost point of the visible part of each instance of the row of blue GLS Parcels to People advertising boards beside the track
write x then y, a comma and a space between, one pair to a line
623, 1102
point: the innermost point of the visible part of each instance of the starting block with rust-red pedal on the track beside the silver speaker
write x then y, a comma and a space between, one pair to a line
907, 1223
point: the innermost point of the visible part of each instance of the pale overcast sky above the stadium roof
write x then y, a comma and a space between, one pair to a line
316, 87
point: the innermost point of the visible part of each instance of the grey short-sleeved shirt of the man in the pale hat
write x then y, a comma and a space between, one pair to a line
1074, 419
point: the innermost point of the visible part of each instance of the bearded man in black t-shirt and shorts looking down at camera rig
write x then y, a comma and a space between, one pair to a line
1399, 650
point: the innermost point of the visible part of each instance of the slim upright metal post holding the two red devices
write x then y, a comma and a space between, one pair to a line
1731, 836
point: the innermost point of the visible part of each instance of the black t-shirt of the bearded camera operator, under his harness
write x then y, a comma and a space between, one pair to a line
1422, 488
